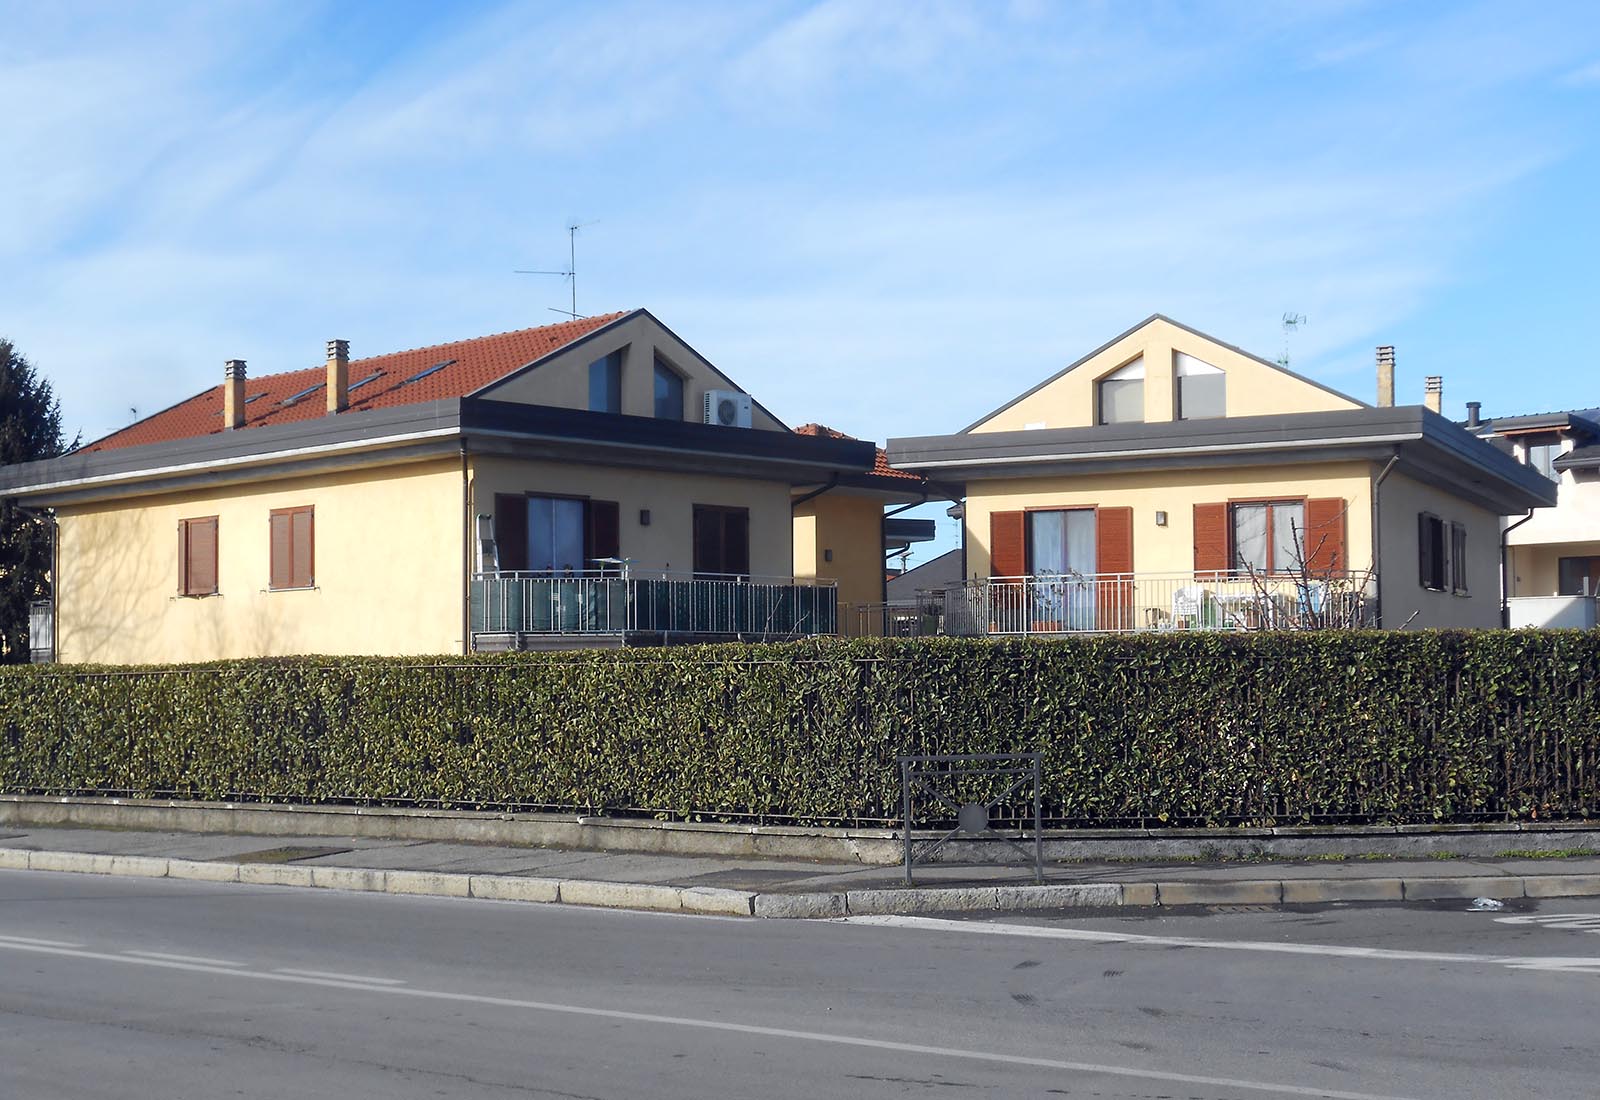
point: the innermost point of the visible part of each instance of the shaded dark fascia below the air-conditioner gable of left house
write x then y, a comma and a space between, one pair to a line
642, 439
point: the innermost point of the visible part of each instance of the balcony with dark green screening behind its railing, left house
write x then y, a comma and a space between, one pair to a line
609, 608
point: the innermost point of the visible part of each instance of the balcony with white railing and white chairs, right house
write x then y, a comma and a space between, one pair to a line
1106, 604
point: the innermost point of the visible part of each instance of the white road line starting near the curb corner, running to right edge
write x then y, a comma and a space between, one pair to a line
1329, 951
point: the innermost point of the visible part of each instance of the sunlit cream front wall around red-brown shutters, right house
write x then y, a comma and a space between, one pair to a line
1170, 549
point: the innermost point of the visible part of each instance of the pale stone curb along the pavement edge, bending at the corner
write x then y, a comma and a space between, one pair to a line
823, 906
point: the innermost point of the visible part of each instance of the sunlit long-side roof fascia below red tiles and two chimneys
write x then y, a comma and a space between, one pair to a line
201, 456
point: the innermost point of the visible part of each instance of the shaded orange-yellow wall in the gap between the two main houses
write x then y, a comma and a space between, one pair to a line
852, 527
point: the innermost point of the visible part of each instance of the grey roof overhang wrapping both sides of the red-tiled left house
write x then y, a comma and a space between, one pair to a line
430, 431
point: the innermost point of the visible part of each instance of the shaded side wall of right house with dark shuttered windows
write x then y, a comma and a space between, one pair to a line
1406, 600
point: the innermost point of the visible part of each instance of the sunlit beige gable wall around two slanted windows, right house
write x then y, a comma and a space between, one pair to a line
1254, 388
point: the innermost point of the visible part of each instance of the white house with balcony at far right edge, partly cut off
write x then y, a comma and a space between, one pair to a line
1553, 556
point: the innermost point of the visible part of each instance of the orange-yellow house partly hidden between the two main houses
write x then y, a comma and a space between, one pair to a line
842, 532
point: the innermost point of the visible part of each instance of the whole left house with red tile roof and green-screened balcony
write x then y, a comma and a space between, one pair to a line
594, 482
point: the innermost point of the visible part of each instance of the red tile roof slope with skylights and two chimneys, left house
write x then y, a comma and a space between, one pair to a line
471, 367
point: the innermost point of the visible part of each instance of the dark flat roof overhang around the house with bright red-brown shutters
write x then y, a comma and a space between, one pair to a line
1428, 447
